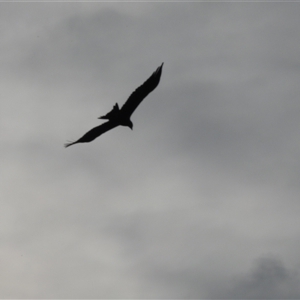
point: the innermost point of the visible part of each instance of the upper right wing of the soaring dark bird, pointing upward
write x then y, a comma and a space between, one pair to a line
141, 92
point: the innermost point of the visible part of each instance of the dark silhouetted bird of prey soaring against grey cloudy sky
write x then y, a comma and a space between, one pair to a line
117, 116
